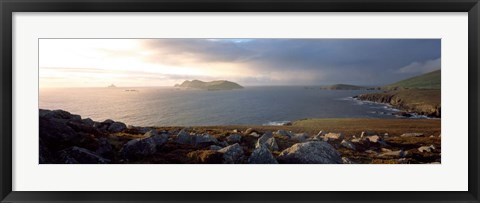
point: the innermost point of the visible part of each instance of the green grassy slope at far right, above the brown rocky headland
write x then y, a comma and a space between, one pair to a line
426, 81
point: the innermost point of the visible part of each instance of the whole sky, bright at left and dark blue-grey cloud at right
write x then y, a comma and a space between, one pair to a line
249, 62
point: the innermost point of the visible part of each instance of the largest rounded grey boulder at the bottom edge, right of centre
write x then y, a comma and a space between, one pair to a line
312, 152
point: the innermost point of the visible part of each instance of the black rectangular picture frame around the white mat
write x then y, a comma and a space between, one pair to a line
7, 7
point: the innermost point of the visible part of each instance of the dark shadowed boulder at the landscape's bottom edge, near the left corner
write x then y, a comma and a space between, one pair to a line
78, 155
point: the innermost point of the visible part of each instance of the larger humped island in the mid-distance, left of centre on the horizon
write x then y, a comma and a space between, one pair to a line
212, 85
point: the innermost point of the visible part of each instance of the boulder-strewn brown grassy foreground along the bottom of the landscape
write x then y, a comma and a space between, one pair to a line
68, 139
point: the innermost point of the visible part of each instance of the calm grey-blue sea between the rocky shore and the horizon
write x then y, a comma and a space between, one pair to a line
165, 106
